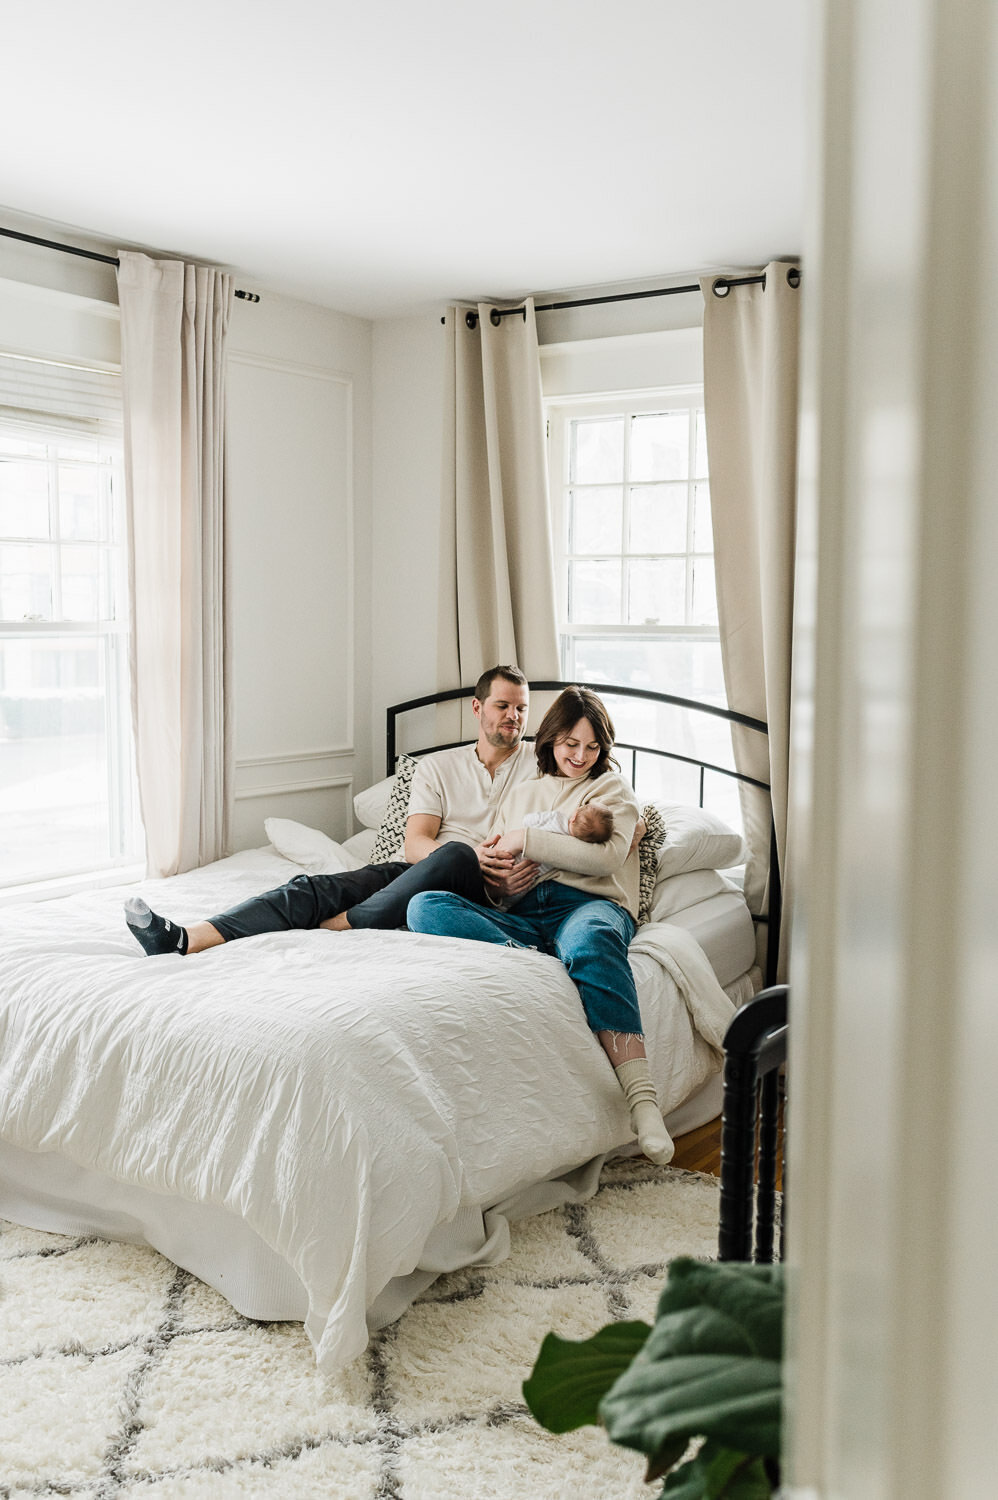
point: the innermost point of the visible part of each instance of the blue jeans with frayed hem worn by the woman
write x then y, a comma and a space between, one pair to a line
589, 935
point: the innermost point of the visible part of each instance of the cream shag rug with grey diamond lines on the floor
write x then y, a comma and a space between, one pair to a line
124, 1376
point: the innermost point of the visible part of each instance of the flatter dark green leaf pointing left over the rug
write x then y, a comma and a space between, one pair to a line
571, 1376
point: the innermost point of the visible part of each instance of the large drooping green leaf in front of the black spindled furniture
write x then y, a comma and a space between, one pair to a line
709, 1369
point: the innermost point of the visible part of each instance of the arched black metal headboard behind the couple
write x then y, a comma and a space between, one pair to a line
615, 691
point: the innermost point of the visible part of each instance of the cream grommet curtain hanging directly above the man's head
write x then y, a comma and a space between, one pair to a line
497, 571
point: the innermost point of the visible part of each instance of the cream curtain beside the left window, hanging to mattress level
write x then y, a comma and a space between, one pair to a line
175, 319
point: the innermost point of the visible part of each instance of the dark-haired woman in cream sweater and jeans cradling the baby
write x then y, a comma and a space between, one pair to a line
585, 913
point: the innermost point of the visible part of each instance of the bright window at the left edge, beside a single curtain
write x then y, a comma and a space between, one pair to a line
68, 799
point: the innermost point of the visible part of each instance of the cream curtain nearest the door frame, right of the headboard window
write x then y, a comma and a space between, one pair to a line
751, 386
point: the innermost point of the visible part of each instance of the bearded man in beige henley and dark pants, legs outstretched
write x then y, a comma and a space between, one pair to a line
454, 802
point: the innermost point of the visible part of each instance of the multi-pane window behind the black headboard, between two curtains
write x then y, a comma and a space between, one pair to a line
636, 566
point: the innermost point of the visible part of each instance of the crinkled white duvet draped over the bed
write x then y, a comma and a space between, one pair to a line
344, 1094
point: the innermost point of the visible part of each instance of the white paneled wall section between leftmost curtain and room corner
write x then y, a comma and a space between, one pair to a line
299, 494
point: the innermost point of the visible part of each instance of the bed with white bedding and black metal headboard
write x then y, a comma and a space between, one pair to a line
320, 1124
